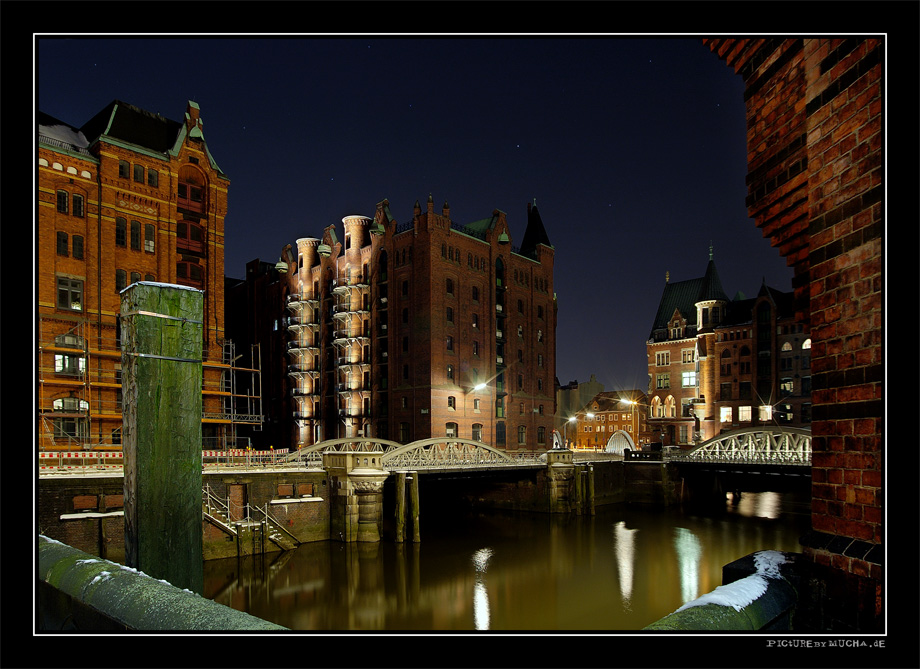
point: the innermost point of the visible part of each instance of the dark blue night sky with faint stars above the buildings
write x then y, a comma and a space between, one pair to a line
632, 148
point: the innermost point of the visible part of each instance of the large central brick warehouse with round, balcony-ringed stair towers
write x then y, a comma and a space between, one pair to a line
413, 330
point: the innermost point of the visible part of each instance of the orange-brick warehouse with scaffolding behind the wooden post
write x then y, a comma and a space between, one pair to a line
129, 196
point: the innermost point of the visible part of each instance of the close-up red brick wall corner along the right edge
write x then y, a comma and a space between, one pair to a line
814, 118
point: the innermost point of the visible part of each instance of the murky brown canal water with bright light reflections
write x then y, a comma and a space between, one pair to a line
620, 569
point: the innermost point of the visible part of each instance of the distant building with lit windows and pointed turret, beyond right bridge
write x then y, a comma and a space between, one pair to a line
718, 364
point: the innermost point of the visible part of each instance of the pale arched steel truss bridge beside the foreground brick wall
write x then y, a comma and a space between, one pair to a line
758, 446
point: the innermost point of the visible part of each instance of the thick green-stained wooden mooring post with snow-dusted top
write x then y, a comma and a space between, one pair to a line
161, 435
